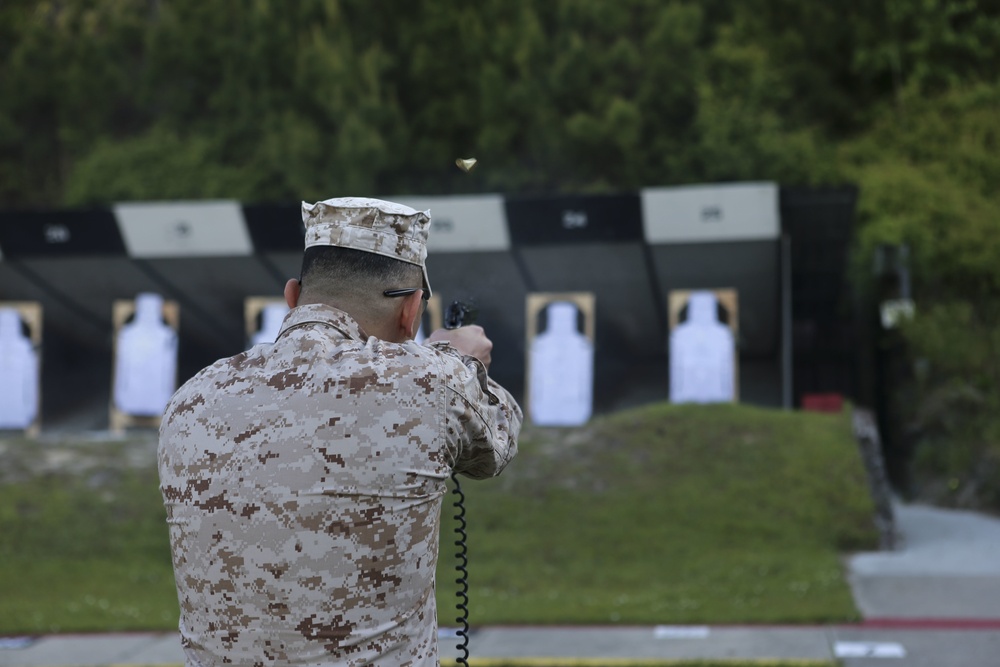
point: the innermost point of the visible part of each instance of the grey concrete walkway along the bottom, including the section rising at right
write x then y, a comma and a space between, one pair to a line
935, 602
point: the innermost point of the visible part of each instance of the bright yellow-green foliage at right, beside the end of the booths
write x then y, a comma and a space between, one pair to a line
928, 170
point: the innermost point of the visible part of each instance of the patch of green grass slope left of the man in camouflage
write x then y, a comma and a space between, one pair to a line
84, 550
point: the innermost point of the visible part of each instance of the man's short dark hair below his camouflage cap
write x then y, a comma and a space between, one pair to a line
335, 270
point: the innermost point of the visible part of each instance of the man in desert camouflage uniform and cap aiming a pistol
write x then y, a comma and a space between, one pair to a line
303, 480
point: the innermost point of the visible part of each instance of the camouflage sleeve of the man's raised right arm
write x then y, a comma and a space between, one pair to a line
483, 420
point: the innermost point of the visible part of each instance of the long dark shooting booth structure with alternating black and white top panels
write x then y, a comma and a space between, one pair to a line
624, 255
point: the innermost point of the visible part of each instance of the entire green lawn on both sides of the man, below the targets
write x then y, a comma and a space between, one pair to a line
657, 515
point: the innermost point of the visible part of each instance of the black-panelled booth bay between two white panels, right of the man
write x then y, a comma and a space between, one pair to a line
594, 244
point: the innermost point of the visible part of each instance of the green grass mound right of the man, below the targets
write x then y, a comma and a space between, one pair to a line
668, 514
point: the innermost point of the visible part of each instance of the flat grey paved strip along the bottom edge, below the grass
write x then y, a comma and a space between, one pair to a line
857, 646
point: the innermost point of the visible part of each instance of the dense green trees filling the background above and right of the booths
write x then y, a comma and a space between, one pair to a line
268, 100
